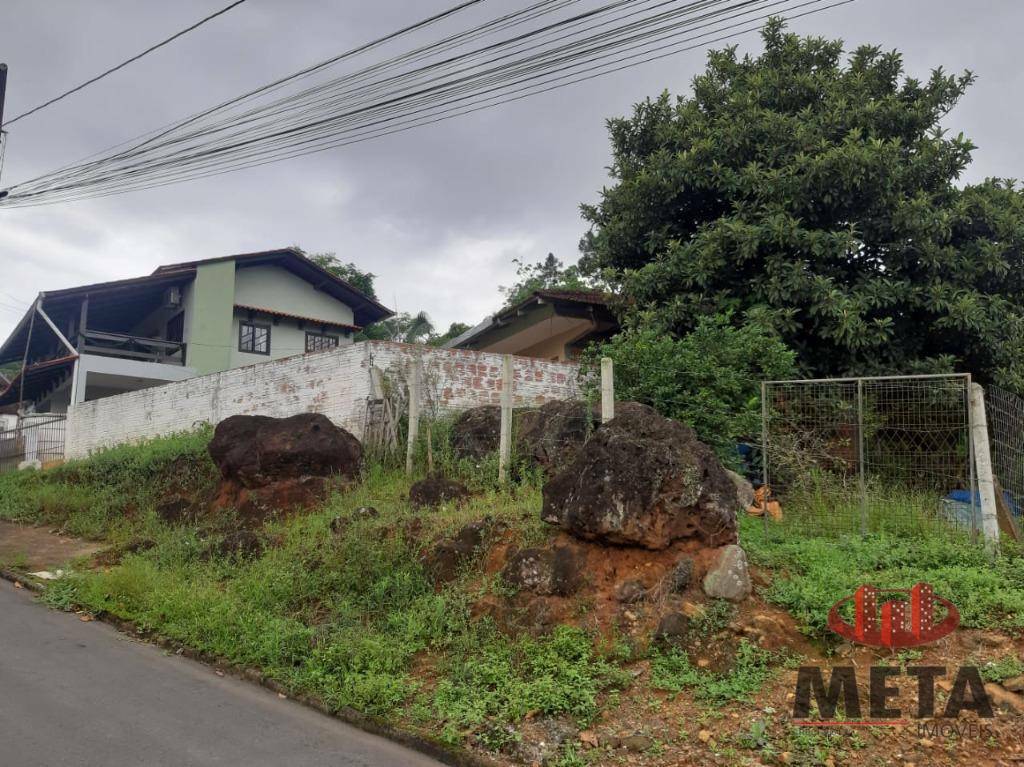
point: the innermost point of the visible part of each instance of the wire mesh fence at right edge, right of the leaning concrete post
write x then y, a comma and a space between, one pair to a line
1006, 433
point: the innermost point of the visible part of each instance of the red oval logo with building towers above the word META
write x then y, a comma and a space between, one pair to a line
904, 623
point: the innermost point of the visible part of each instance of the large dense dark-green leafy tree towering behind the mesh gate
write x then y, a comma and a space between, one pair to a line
822, 197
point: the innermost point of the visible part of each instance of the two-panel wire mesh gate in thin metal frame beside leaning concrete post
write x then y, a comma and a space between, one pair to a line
871, 455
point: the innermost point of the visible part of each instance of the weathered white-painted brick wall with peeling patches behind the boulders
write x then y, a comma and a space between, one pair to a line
335, 383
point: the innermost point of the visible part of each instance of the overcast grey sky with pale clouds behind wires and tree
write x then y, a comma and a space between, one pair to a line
438, 214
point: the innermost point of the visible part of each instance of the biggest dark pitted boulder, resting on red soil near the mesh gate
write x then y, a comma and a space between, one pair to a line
644, 480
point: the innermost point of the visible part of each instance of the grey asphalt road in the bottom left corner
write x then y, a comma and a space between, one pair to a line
81, 694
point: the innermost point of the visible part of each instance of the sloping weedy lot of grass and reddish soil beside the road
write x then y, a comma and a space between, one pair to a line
345, 603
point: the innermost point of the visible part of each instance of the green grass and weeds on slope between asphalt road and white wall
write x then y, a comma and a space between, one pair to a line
347, 616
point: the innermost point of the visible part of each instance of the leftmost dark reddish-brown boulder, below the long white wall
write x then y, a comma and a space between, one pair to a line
258, 451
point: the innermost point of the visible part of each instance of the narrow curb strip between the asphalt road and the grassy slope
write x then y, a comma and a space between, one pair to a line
255, 676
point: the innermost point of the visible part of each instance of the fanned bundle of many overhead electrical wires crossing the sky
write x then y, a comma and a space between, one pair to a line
547, 45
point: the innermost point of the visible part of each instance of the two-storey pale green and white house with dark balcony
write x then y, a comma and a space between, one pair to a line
185, 320
